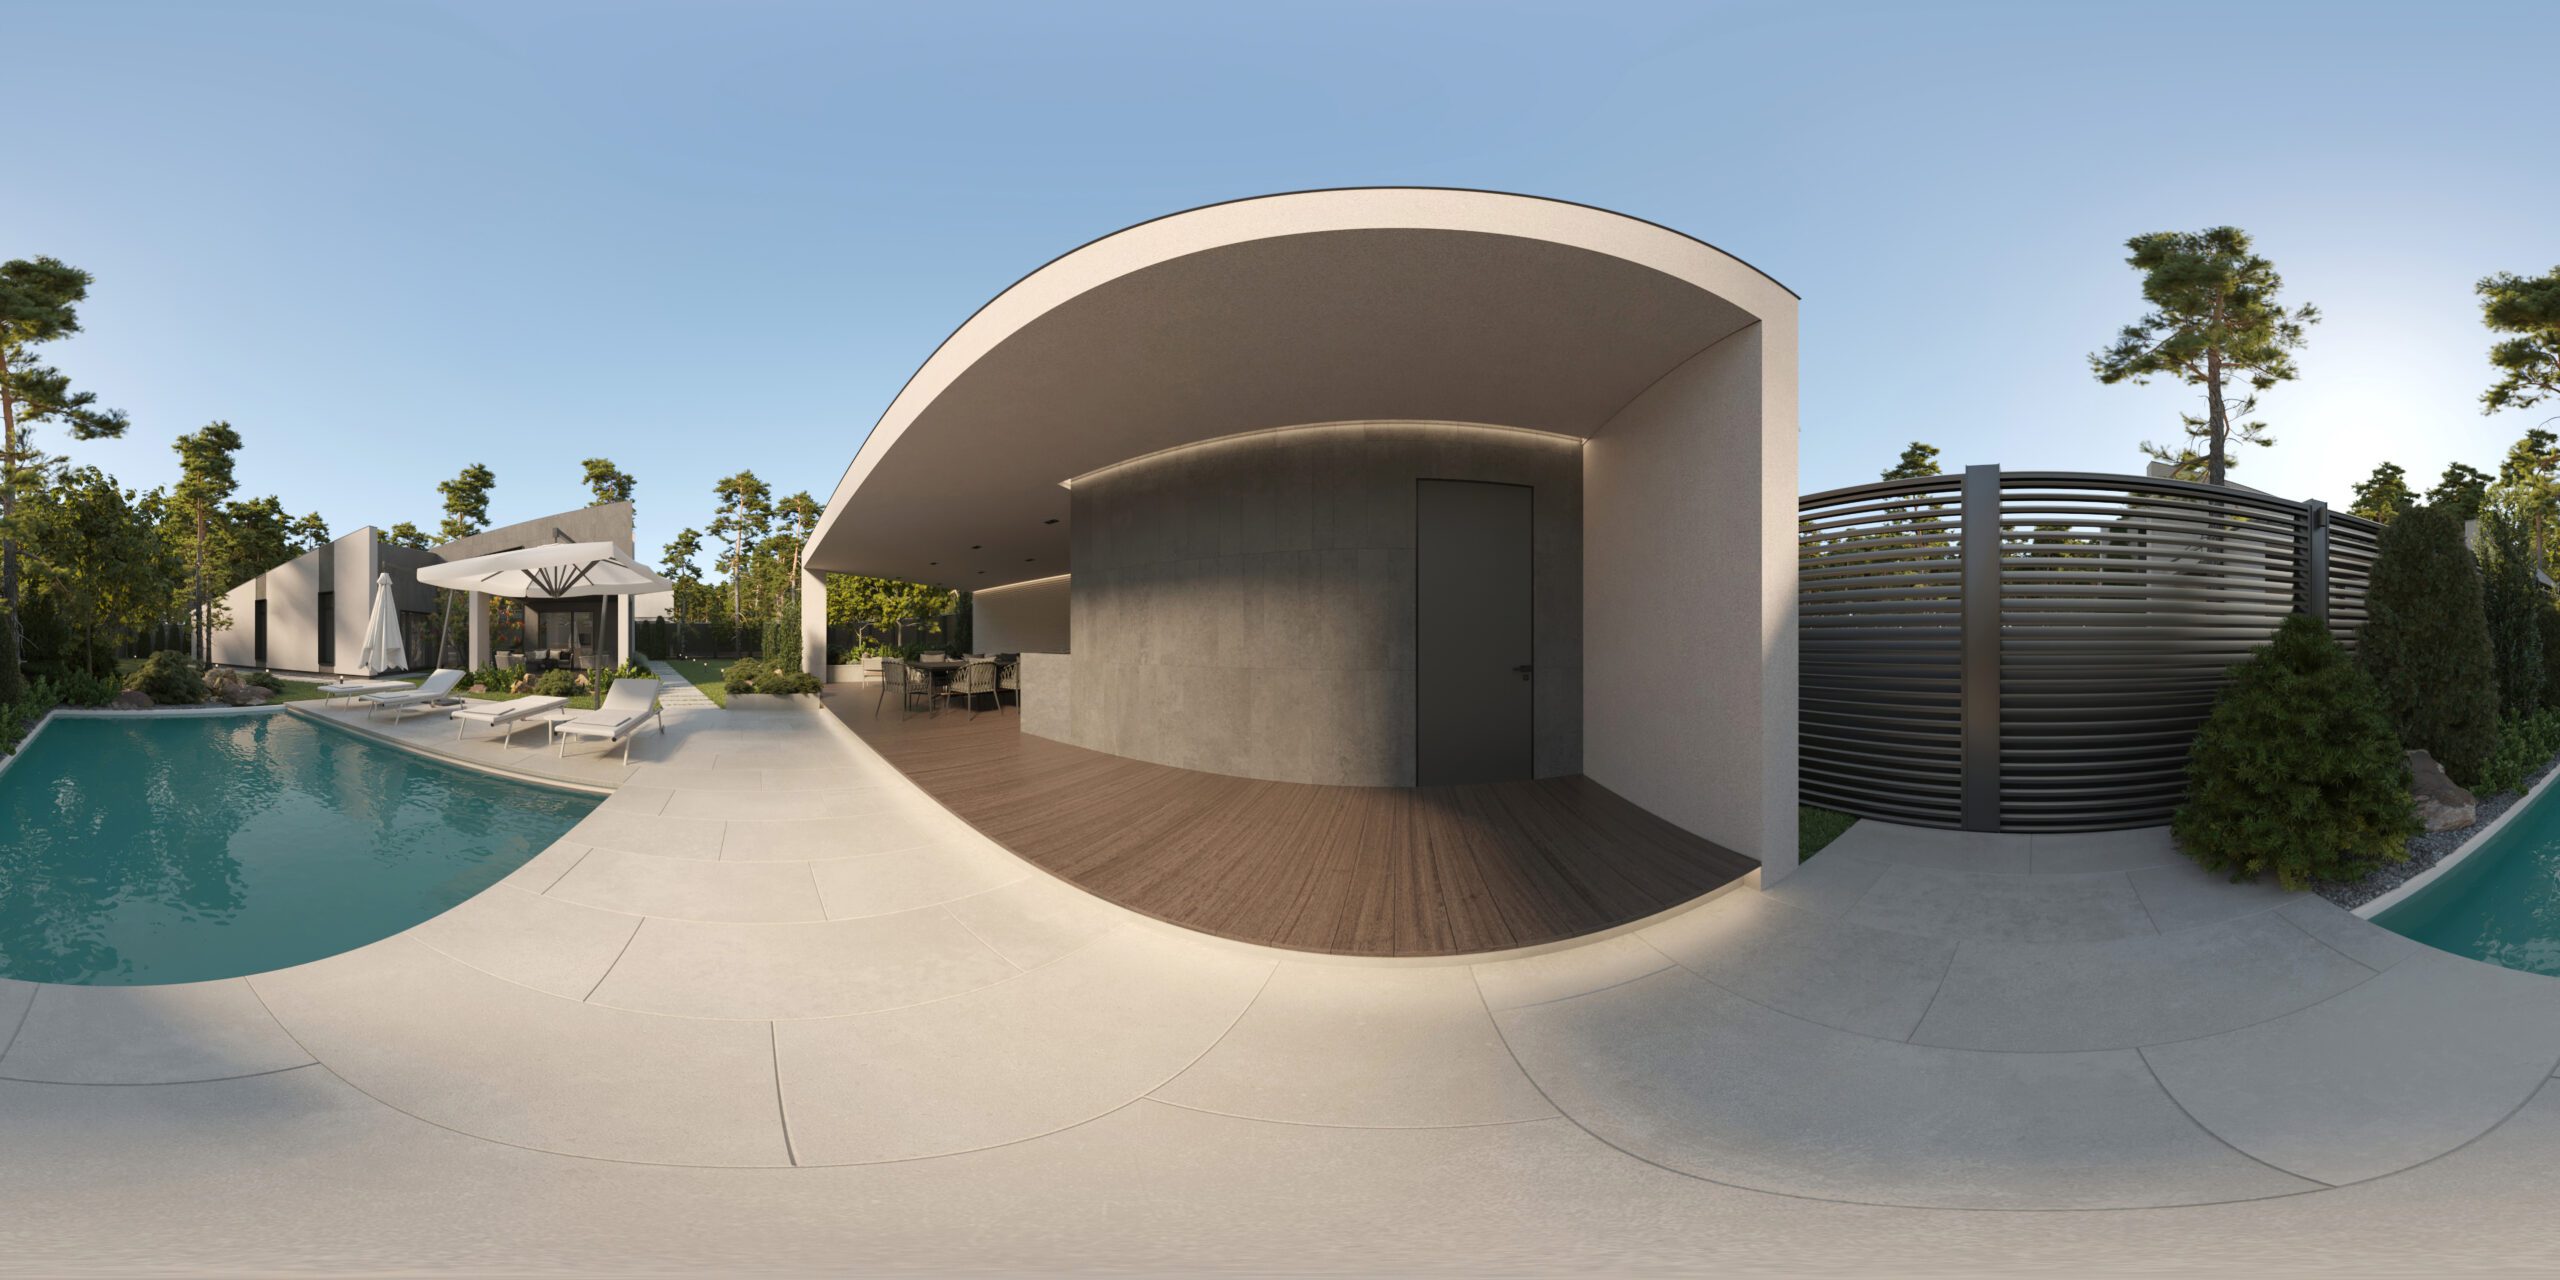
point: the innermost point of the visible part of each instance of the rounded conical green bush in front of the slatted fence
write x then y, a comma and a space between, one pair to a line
2298, 769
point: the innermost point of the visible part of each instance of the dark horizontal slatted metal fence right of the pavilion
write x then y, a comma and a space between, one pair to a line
2067, 687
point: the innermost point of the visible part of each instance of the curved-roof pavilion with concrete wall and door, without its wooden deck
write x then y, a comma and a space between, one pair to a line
1373, 488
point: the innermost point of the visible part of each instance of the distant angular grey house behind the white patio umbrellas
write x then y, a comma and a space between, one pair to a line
308, 613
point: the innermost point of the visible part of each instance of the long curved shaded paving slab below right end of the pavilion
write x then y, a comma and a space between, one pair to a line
1696, 1079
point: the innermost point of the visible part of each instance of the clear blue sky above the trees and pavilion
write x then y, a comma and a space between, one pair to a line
396, 239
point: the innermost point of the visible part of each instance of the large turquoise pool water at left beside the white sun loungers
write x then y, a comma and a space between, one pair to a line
186, 849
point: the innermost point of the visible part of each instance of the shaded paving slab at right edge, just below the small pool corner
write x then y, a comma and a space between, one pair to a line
2403, 1069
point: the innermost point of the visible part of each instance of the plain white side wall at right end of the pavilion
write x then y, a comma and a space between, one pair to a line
1691, 577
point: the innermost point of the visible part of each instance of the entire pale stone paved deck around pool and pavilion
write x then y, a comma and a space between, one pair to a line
774, 1010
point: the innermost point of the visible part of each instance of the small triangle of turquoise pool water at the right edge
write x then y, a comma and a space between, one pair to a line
2502, 905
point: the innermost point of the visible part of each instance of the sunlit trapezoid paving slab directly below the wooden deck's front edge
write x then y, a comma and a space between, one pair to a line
1363, 1046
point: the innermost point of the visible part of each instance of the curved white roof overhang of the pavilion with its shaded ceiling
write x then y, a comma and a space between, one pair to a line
1381, 303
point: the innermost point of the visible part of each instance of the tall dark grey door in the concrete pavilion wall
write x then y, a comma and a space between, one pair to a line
1473, 662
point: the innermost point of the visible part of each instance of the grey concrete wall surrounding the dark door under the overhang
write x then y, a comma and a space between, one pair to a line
1248, 605
